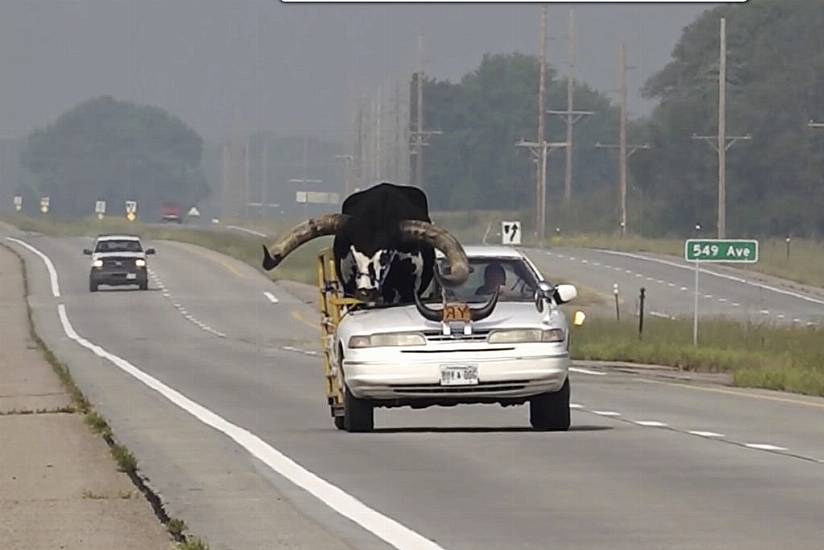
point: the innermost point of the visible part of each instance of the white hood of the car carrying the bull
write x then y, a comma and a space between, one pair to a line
407, 319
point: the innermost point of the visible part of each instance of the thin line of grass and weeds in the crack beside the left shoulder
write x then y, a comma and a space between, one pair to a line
124, 458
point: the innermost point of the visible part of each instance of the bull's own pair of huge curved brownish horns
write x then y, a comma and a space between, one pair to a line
409, 230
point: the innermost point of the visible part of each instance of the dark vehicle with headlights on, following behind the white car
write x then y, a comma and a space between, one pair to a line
118, 260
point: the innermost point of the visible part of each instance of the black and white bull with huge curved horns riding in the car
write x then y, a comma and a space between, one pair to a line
384, 246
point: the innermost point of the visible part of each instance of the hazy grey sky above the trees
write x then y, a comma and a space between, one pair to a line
228, 66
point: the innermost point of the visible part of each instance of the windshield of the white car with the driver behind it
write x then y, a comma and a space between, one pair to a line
513, 276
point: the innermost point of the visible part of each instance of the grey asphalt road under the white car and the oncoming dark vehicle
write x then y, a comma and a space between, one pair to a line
649, 462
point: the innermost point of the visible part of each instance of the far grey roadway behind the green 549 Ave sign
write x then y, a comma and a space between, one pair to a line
670, 286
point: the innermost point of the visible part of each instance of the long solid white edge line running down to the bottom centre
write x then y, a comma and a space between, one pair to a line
345, 504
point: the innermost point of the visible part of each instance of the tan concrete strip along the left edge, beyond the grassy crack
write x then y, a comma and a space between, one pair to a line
59, 486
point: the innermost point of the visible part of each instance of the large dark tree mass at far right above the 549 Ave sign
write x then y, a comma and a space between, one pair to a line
775, 85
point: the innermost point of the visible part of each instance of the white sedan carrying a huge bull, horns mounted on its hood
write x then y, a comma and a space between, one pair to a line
394, 356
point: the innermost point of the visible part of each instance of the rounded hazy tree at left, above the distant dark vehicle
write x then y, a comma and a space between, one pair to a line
115, 151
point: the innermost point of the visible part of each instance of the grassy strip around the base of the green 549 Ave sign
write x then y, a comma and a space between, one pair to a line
766, 356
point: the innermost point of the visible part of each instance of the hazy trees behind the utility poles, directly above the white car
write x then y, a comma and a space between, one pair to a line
475, 164
